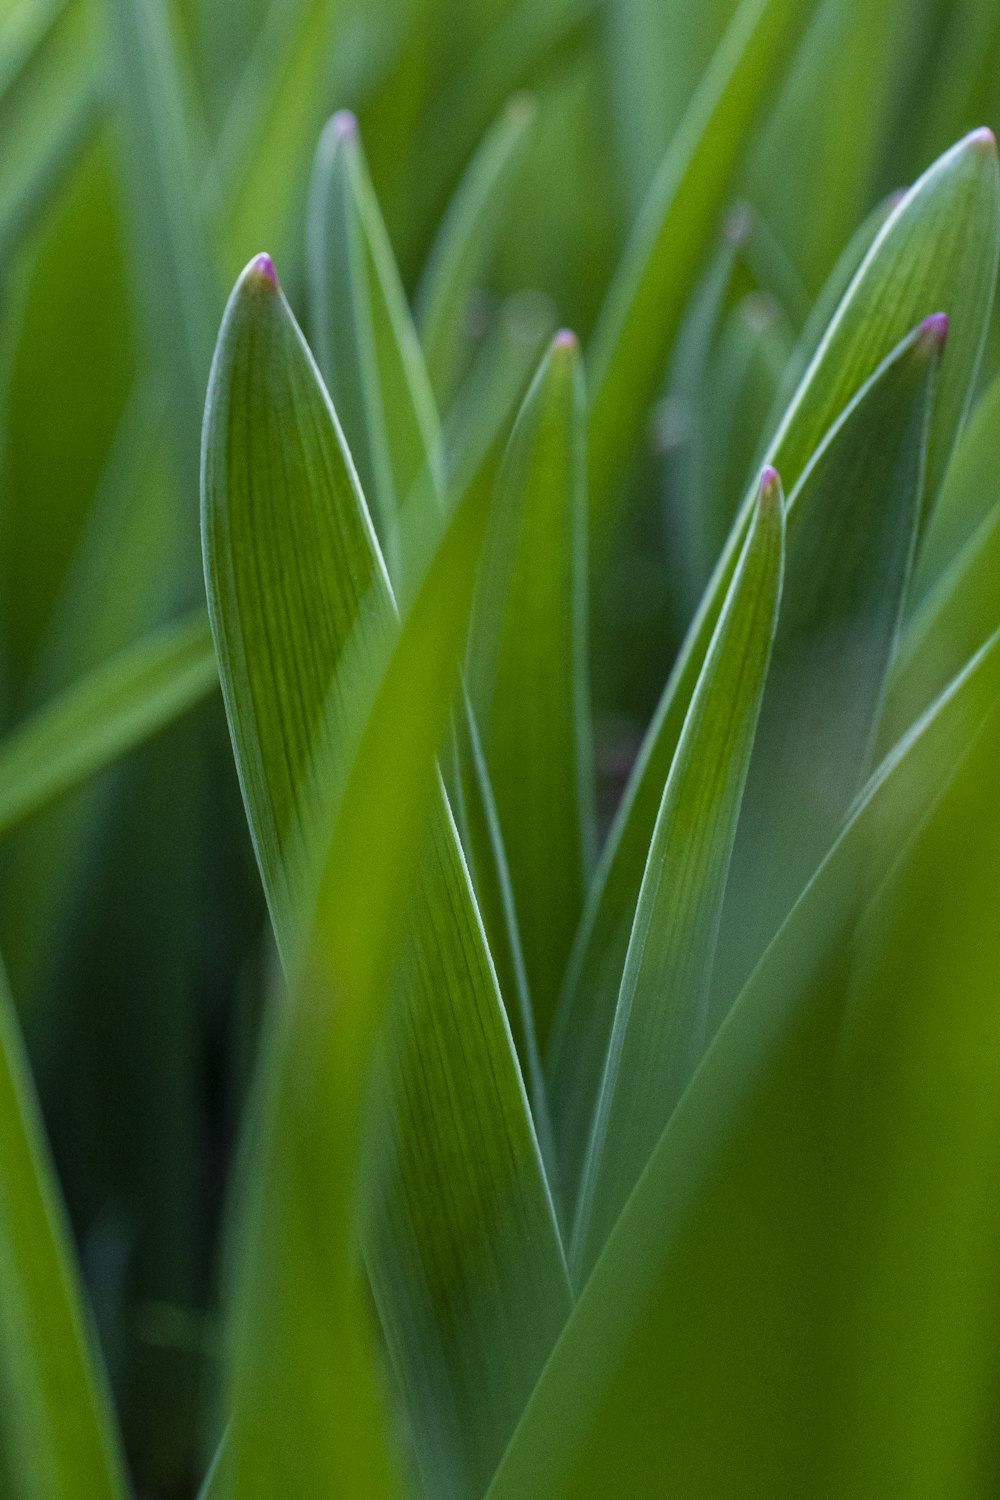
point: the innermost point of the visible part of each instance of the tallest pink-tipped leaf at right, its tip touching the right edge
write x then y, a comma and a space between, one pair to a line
936, 251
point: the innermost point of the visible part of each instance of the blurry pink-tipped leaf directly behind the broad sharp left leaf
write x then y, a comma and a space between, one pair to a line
365, 338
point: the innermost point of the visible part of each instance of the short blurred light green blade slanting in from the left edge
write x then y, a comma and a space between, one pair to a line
106, 715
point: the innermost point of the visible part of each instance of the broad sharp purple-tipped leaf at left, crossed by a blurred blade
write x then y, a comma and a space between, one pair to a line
463, 1244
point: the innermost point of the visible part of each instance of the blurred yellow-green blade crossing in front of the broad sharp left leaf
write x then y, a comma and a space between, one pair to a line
305, 1399
